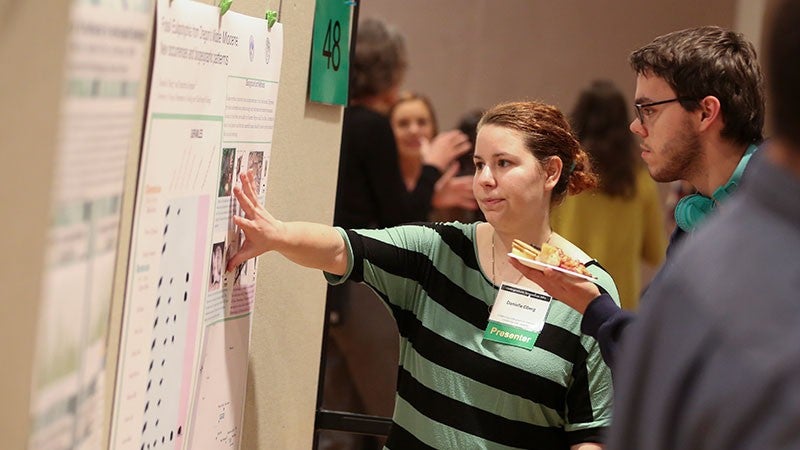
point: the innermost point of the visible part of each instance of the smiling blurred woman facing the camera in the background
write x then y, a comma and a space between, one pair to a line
414, 124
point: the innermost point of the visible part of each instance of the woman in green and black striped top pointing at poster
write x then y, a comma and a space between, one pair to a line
457, 387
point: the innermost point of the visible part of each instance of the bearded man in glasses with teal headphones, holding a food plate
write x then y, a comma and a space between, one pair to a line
699, 107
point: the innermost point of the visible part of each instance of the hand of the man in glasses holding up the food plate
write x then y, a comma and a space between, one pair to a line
572, 291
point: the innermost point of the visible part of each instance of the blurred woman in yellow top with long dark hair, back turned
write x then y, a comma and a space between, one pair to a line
621, 223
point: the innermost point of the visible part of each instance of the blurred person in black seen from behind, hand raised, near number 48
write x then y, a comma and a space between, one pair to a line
371, 192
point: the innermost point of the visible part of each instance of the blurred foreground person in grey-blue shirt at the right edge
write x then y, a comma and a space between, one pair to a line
713, 361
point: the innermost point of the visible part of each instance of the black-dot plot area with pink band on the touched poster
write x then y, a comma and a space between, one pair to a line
157, 374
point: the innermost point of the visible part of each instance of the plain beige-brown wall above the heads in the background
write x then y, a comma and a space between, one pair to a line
474, 53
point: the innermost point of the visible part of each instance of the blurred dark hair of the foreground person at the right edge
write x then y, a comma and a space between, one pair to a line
783, 71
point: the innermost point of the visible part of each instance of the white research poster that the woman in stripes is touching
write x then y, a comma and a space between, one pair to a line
182, 369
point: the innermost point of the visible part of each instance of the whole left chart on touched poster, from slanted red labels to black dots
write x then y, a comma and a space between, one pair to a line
167, 284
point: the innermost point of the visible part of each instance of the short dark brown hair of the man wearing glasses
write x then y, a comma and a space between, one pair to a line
703, 61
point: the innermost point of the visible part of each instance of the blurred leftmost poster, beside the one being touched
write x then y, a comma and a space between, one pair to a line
99, 120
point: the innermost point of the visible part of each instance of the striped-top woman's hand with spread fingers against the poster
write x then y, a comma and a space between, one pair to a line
259, 227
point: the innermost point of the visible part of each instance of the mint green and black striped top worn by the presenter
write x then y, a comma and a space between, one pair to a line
456, 390
